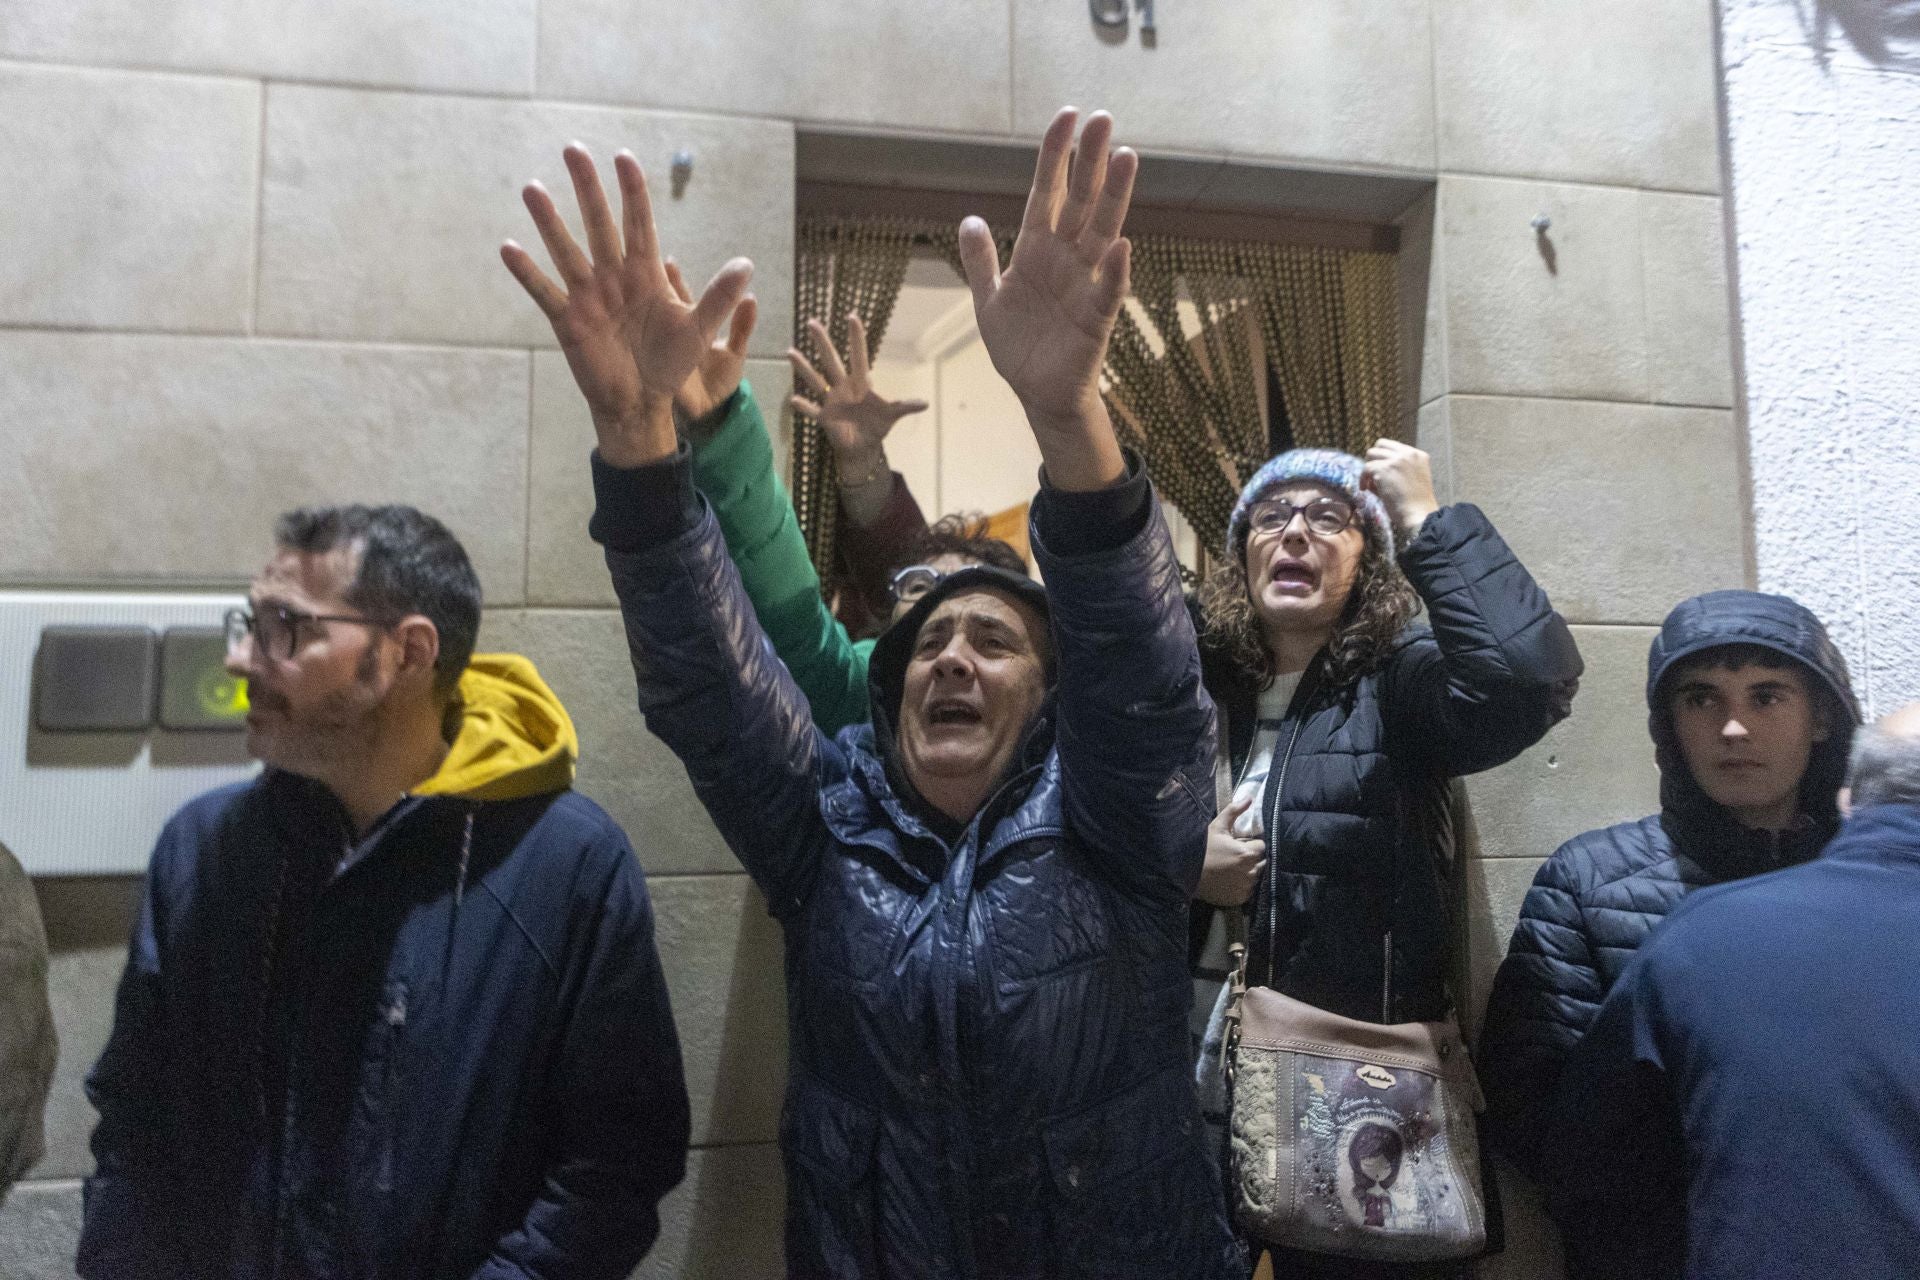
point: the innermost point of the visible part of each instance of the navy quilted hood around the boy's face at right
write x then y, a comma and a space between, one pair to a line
1783, 627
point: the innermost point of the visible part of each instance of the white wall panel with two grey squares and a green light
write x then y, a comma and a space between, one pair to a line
116, 709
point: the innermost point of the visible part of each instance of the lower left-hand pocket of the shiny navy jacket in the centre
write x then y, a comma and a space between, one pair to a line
830, 1150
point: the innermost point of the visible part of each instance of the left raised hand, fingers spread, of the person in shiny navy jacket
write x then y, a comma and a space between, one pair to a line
631, 341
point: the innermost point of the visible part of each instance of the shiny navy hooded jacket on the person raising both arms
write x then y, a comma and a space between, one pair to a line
988, 1030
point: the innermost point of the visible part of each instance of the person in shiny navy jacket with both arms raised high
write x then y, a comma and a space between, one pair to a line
984, 889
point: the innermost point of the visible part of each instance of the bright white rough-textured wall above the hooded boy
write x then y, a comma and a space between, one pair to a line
1823, 122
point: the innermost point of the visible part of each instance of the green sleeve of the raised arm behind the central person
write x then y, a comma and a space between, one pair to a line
734, 469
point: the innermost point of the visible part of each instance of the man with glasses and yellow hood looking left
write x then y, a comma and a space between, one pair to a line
393, 1008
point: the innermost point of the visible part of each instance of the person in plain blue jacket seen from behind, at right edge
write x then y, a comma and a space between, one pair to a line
1746, 1102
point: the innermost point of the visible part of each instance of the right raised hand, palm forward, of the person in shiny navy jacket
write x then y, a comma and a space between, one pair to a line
1049, 316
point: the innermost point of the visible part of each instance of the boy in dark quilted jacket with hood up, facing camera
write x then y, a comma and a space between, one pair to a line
1752, 715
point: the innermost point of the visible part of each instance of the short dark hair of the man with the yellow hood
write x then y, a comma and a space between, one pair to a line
408, 565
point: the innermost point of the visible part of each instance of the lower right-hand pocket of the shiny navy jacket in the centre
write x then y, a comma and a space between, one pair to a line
1132, 1189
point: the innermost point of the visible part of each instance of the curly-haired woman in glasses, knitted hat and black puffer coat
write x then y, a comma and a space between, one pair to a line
1345, 726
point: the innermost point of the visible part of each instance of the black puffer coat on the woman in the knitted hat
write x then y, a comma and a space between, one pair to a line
1356, 807
